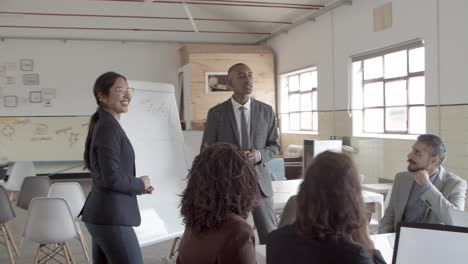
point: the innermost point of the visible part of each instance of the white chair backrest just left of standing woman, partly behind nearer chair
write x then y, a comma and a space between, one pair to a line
71, 192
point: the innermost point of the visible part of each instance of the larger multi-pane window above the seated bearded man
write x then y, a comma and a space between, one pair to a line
389, 91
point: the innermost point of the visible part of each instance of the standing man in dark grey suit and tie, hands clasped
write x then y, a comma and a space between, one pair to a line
251, 125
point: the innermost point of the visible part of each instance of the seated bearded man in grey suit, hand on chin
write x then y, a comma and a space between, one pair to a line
425, 192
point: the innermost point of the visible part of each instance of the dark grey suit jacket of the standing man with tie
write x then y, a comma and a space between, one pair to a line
221, 126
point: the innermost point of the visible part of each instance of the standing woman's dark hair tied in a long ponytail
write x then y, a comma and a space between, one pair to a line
102, 86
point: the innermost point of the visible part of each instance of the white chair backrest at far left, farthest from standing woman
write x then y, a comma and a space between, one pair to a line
16, 174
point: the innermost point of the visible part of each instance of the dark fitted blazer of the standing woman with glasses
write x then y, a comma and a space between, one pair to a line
112, 200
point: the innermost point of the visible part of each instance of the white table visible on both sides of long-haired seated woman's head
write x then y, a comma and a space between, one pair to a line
283, 190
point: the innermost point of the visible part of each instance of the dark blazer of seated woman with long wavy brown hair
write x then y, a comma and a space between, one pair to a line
285, 245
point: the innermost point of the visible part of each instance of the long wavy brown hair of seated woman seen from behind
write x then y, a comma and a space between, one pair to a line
329, 203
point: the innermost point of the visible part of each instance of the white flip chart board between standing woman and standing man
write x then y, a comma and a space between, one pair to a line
153, 127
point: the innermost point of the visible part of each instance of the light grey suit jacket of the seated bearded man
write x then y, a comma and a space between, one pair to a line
447, 191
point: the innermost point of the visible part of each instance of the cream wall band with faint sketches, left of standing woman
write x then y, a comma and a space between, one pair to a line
43, 138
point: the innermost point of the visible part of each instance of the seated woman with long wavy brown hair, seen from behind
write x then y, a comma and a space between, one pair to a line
331, 224
